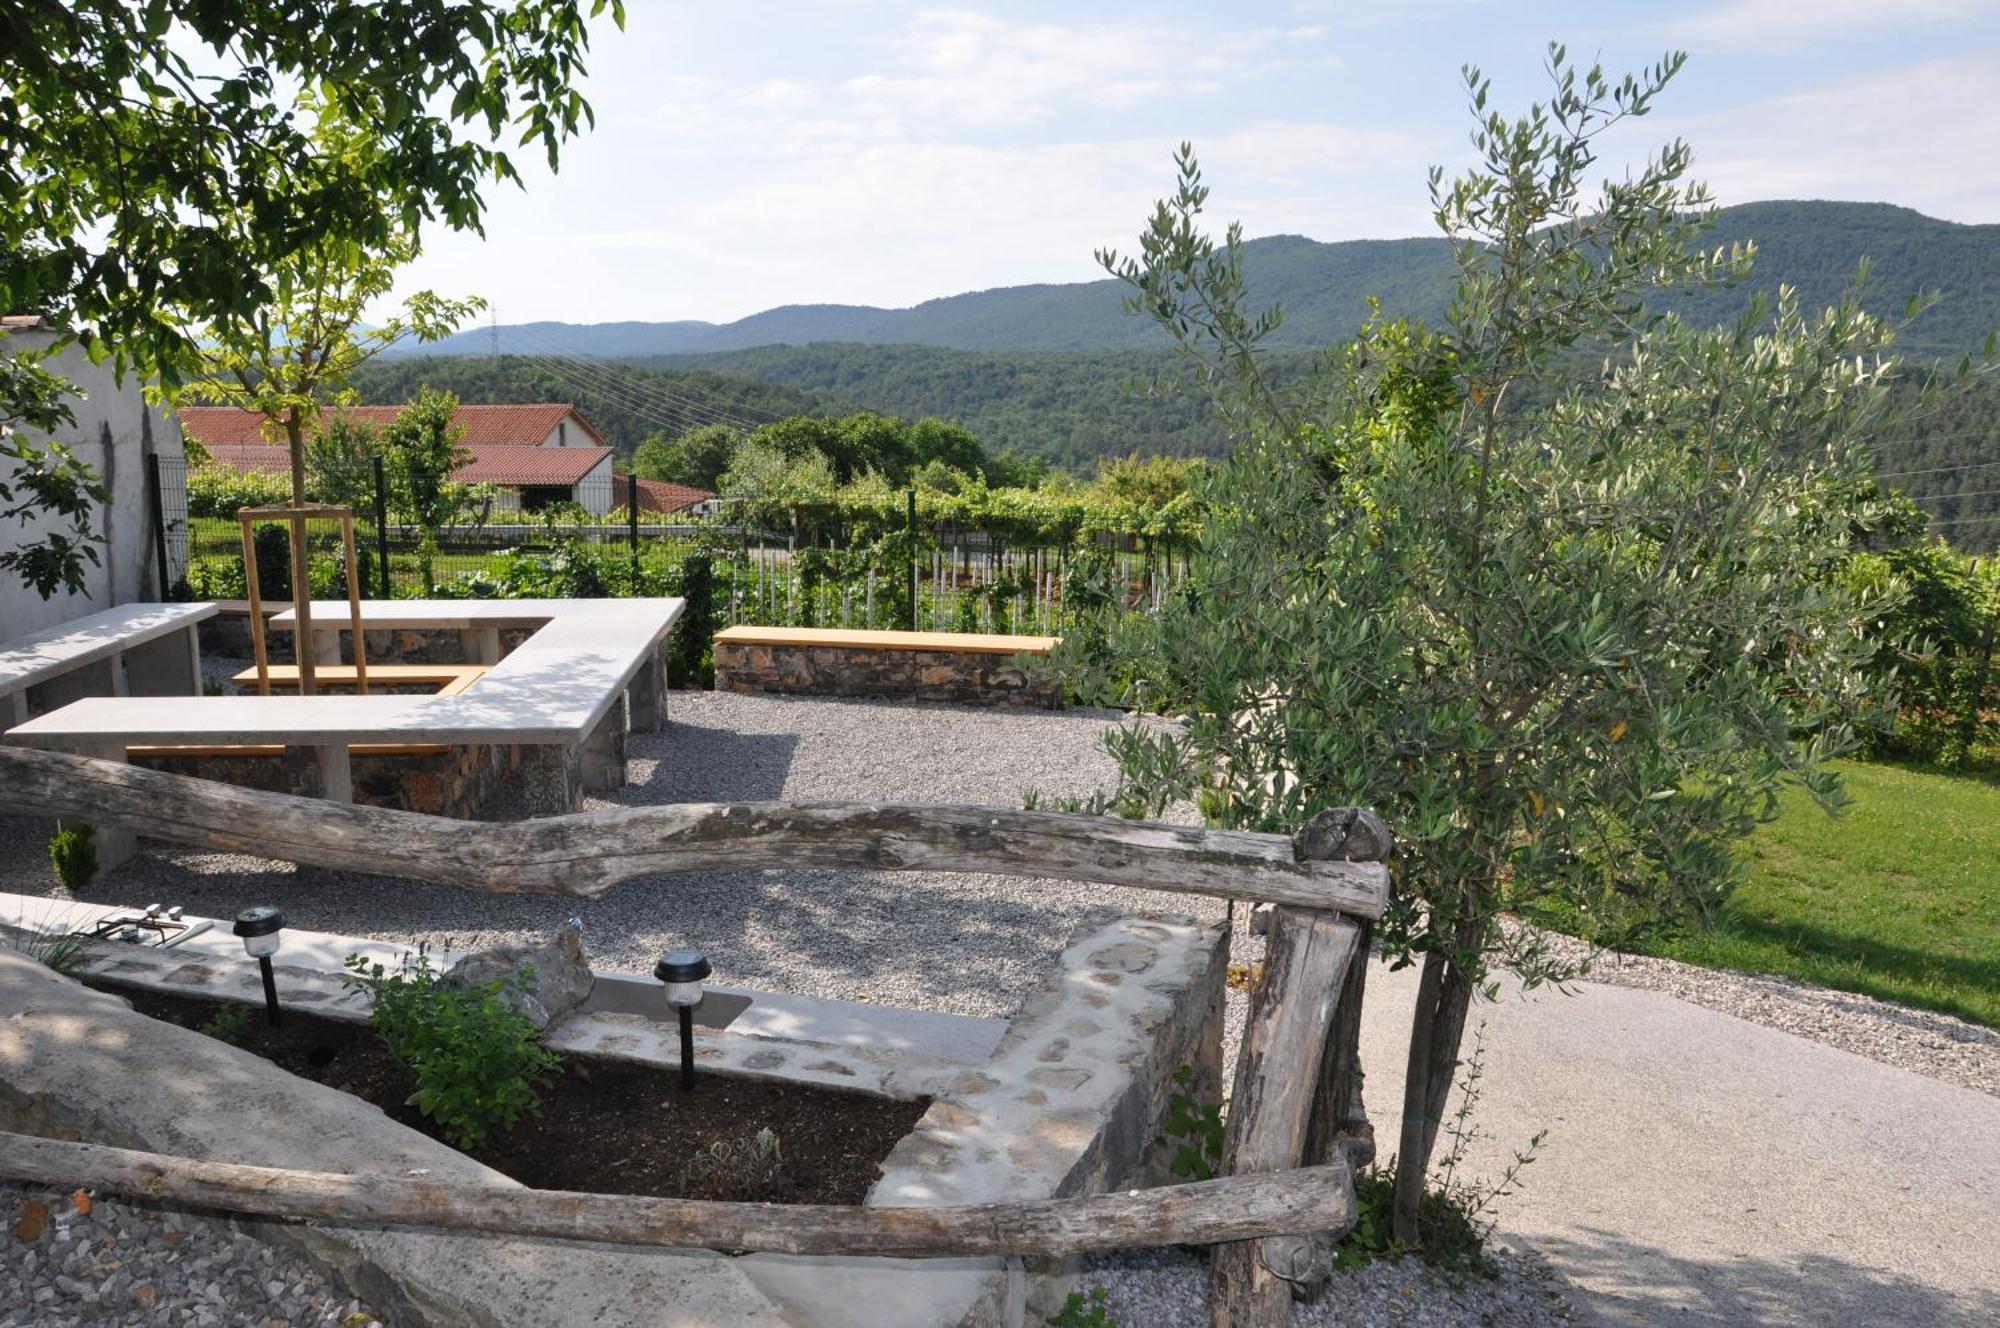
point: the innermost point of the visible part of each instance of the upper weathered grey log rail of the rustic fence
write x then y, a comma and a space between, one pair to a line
589, 853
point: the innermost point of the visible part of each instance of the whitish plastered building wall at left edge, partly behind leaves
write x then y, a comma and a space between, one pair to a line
115, 431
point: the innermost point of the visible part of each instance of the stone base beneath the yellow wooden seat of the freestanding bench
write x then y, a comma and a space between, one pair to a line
901, 675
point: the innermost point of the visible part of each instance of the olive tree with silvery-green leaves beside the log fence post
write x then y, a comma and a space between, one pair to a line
1565, 639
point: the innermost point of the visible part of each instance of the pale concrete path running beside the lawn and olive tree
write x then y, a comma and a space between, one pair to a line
1711, 1173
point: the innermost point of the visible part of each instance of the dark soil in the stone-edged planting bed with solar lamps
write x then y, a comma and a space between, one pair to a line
611, 1127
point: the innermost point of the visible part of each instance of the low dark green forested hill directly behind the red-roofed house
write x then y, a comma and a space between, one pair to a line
623, 401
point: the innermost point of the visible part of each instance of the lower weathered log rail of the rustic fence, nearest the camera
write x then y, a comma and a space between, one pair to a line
1201, 1213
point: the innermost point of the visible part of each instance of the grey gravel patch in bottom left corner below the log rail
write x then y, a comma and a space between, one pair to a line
129, 1263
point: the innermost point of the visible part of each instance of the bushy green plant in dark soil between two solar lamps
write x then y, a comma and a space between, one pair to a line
477, 1057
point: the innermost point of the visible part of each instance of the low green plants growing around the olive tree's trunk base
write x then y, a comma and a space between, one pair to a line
1457, 1215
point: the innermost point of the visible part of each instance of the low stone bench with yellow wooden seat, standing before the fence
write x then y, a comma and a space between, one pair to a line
955, 667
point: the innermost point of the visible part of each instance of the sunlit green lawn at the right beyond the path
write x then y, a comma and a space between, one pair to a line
1899, 897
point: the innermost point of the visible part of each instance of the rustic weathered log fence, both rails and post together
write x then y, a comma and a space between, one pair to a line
1295, 1133
